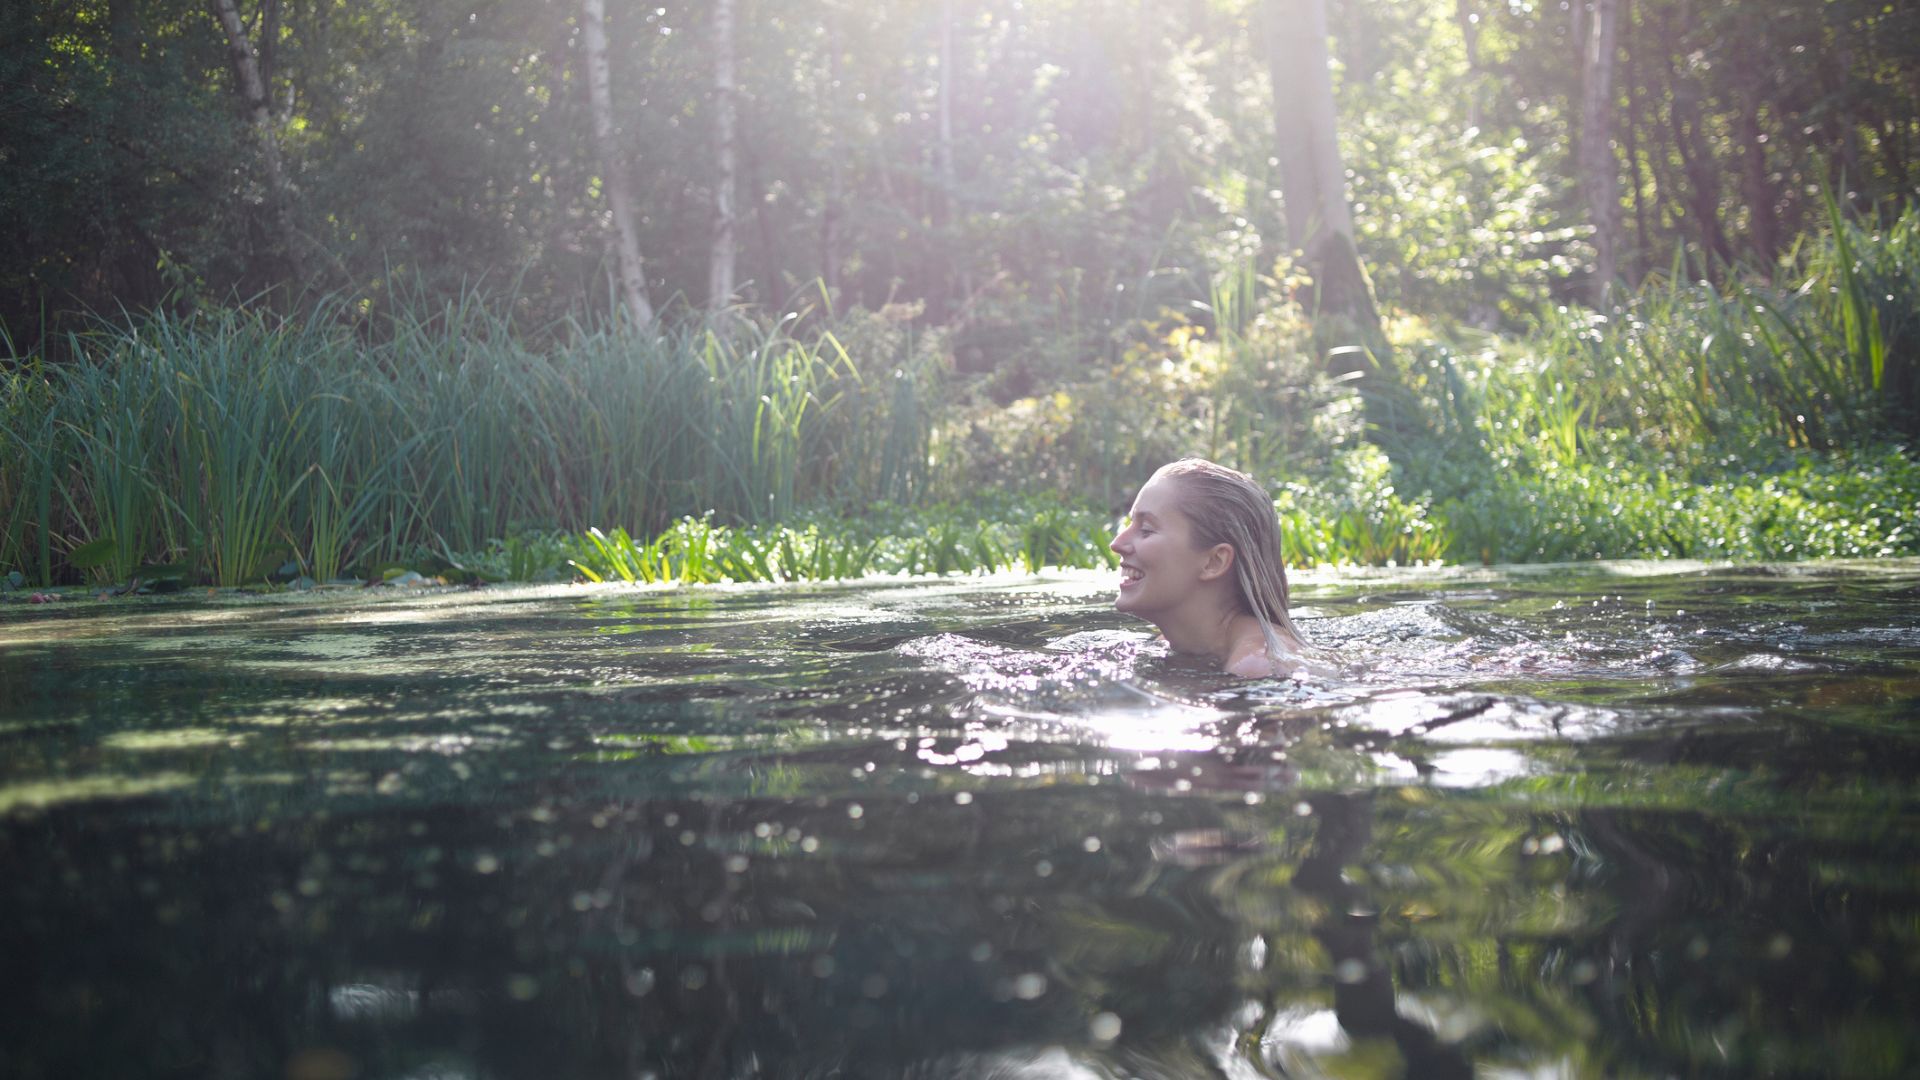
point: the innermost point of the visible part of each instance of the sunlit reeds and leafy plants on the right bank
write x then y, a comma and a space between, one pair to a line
1746, 422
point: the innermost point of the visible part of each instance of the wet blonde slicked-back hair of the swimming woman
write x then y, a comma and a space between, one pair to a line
1230, 508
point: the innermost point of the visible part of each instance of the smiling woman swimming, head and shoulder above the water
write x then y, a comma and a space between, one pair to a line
1201, 558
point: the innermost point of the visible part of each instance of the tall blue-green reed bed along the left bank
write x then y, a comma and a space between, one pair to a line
237, 439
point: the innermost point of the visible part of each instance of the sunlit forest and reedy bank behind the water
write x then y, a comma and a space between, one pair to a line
299, 289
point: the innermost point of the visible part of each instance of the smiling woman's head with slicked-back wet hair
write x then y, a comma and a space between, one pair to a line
1201, 528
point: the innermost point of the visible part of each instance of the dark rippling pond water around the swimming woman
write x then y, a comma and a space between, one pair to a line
1616, 820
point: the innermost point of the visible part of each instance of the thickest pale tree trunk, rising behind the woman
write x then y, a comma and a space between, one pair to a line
1312, 176
